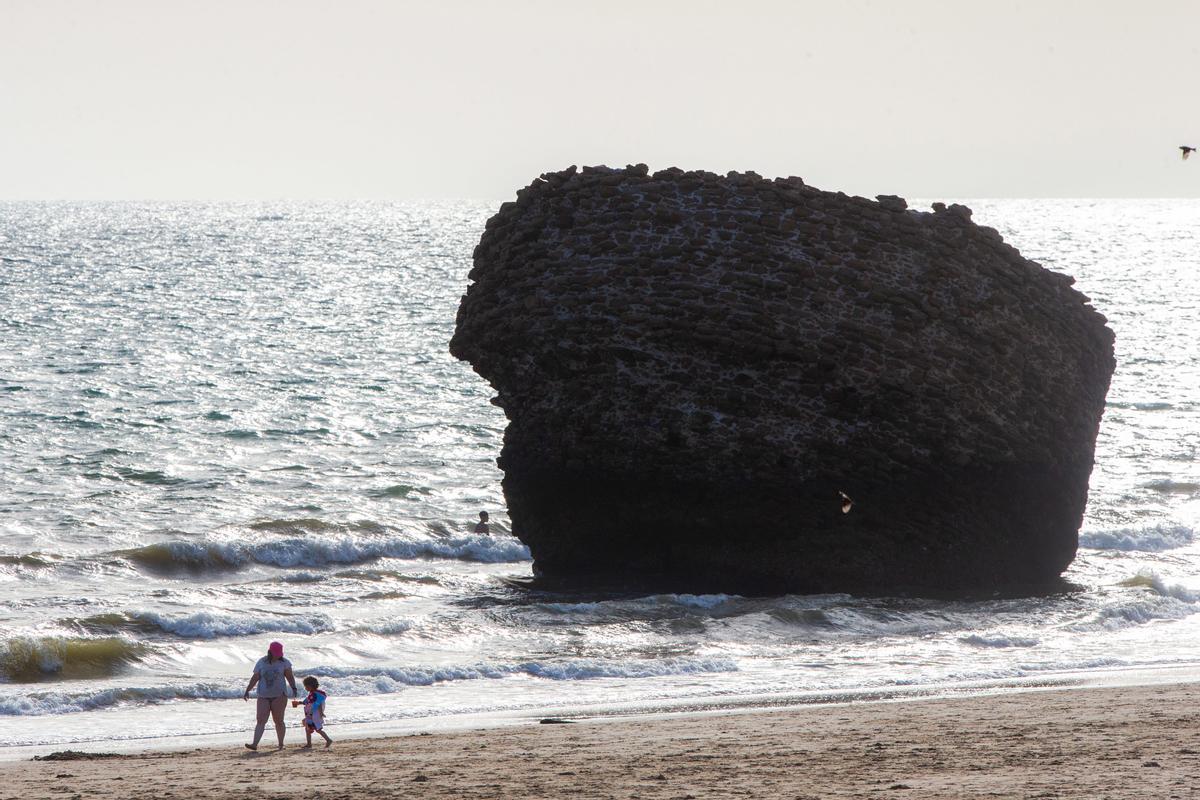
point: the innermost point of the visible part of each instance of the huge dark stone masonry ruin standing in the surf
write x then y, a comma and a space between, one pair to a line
697, 368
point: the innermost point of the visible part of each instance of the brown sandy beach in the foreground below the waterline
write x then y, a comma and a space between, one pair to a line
1085, 743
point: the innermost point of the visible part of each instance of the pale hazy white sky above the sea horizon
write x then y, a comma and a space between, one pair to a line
373, 99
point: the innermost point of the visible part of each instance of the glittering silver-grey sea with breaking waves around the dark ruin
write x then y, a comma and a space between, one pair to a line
227, 424
